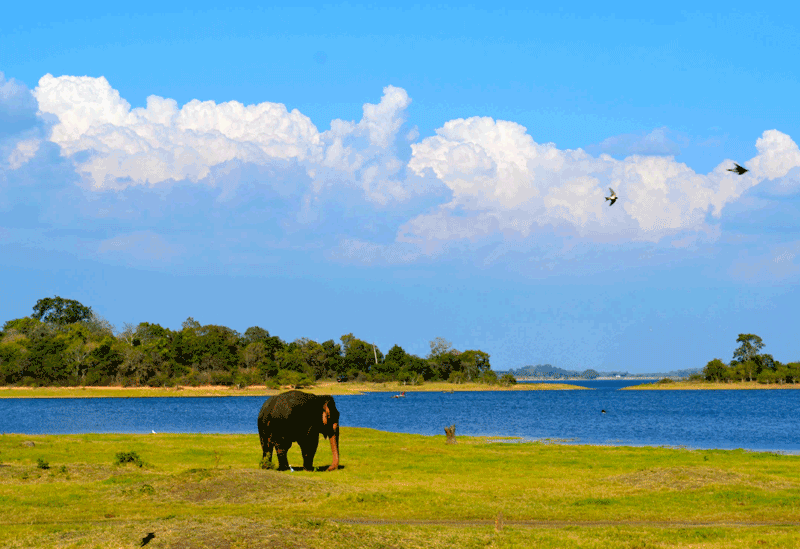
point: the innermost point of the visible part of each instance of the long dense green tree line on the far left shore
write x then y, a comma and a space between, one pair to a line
66, 343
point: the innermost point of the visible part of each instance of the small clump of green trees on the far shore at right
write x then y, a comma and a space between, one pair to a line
749, 364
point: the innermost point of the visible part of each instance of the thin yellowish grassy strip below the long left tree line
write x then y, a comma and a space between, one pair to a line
324, 387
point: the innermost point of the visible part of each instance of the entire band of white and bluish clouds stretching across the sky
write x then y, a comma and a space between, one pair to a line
375, 191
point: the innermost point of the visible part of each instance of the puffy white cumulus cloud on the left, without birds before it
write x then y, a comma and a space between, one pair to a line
122, 146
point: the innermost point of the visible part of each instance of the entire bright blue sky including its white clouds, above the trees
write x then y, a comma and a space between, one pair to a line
405, 173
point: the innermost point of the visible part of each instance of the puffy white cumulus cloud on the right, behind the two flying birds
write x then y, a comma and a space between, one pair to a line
503, 181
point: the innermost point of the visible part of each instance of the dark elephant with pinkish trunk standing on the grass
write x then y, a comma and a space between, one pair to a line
295, 416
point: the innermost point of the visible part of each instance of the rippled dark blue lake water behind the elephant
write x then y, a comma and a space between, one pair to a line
754, 419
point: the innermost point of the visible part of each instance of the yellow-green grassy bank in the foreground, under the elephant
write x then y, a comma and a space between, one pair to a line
392, 490
